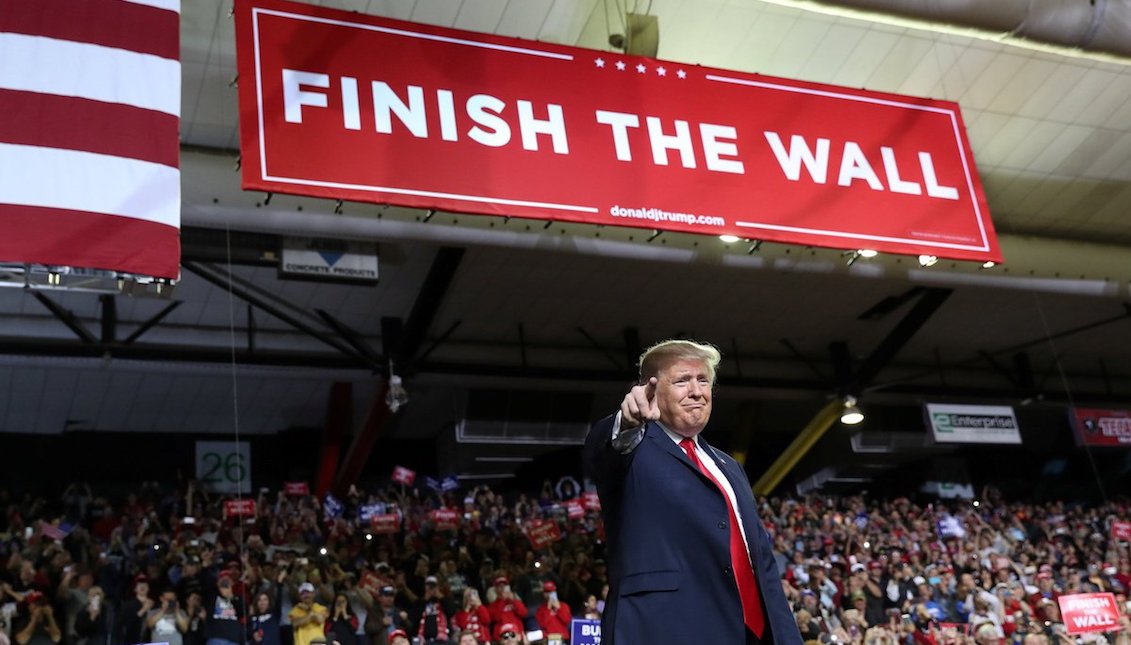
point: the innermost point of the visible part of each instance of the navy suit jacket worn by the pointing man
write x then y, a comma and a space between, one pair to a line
670, 579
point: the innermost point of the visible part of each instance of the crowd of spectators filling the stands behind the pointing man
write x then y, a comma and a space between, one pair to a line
168, 566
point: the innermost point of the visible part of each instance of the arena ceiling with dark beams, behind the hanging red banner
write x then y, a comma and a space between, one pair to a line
472, 303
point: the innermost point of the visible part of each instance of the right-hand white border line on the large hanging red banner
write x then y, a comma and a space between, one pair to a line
962, 154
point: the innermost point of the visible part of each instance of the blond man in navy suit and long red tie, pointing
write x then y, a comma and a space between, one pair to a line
689, 561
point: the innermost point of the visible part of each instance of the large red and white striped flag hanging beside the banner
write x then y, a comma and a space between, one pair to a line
90, 144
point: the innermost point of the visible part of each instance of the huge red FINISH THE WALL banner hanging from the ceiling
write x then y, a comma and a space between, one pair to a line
342, 106
